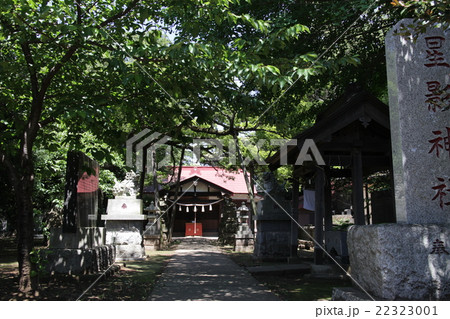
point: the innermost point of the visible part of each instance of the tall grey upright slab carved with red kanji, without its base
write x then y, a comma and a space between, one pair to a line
419, 95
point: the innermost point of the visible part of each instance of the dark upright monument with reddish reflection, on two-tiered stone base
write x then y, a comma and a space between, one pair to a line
79, 245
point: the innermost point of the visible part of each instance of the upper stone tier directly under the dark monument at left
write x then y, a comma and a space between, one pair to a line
83, 238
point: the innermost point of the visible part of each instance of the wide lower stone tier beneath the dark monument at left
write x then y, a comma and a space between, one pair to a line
79, 261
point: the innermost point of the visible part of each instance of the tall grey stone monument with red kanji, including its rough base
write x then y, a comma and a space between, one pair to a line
411, 259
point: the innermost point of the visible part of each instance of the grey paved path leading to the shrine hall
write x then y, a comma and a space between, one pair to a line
200, 271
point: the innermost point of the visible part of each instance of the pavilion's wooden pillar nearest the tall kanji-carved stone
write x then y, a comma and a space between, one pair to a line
357, 187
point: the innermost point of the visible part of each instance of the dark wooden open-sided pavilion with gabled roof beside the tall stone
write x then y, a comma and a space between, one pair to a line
353, 137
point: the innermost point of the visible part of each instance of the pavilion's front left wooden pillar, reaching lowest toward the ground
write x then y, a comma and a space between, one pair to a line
319, 214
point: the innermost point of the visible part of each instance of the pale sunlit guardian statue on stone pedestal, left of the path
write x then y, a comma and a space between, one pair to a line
124, 220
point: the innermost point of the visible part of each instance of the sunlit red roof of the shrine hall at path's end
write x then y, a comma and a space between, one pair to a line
233, 181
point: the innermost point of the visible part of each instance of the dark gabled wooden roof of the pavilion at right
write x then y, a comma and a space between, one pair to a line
356, 120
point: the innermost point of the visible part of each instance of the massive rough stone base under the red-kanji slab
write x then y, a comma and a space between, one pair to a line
401, 261
